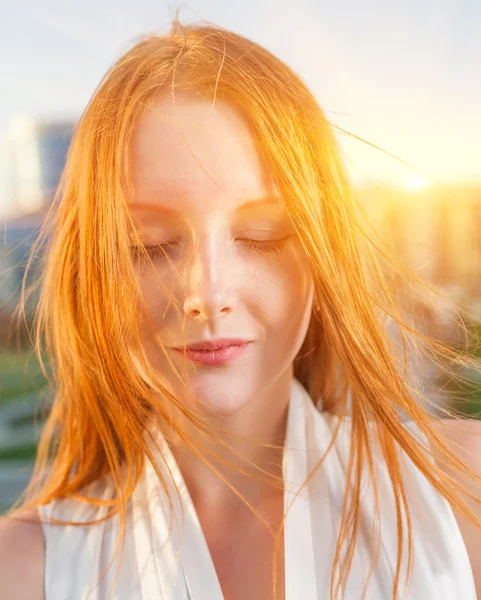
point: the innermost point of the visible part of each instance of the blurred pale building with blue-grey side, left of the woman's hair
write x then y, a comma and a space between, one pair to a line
37, 155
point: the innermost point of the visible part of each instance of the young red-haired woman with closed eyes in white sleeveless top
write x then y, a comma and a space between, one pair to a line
230, 418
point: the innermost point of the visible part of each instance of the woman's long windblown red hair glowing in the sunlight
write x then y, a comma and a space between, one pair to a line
87, 315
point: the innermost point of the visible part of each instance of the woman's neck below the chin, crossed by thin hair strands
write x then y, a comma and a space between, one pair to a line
263, 420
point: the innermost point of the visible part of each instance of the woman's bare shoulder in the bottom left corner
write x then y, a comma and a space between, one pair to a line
22, 559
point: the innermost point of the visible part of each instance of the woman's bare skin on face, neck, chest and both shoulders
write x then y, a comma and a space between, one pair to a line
225, 289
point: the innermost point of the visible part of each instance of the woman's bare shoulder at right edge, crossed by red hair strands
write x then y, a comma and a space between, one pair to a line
464, 440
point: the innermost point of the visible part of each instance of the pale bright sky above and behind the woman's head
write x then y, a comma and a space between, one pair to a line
405, 76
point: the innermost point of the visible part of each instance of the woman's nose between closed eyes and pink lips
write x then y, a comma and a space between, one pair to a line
209, 283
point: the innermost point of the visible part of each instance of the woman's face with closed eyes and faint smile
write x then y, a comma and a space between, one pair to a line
234, 264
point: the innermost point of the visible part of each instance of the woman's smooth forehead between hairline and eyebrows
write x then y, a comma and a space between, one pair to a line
196, 157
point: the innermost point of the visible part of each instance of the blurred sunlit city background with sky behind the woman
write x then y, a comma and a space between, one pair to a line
401, 77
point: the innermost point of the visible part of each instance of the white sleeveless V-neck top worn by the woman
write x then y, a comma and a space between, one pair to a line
77, 556
